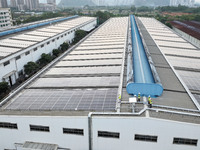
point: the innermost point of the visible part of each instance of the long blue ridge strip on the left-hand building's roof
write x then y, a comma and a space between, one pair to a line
34, 26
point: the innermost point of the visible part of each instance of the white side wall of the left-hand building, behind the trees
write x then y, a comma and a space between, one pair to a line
35, 55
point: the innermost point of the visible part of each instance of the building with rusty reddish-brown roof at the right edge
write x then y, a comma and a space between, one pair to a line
190, 30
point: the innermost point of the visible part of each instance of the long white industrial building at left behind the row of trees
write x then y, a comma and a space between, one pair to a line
18, 49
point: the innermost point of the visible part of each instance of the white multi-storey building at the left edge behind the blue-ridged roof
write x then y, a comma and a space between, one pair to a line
5, 18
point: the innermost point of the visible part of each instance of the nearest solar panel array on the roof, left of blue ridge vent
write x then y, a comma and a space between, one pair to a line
87, 100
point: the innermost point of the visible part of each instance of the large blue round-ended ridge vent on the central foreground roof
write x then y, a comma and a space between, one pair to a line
142, 76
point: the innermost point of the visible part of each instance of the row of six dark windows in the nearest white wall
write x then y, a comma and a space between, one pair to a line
104, 134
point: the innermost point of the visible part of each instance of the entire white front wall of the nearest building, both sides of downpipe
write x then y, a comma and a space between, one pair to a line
126, 126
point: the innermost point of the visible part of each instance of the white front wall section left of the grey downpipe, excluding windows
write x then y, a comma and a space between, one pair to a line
55, 135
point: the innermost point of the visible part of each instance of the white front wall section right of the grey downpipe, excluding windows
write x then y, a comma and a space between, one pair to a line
128, 127
